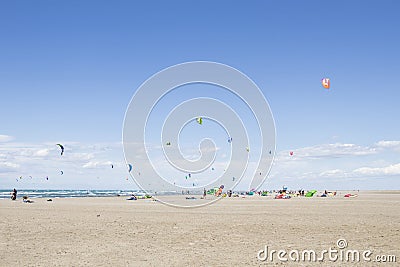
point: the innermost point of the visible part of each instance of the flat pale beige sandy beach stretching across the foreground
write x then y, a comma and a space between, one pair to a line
116, 232
